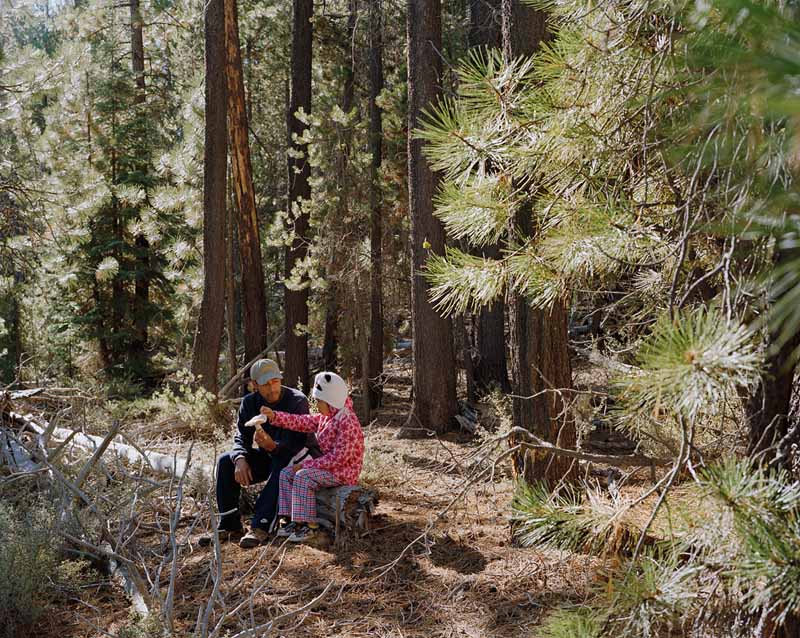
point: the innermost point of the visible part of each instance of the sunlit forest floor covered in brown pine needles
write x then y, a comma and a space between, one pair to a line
414, 574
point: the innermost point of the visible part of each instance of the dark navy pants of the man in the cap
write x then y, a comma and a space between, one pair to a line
264, 467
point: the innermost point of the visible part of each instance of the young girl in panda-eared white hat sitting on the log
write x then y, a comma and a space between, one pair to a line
342, 444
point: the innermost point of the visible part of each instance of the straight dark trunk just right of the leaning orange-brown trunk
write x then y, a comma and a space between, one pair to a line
296, 366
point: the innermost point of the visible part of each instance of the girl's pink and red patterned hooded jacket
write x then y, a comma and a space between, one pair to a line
340, 439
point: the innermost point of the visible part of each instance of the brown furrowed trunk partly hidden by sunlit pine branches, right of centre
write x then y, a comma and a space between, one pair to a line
541, 367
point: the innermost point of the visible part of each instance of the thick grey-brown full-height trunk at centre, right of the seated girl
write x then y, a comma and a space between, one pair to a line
434, 366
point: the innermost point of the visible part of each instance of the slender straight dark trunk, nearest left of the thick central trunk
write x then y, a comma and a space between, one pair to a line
375, 359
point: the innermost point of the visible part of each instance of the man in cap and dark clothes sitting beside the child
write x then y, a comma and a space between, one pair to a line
259, 454
